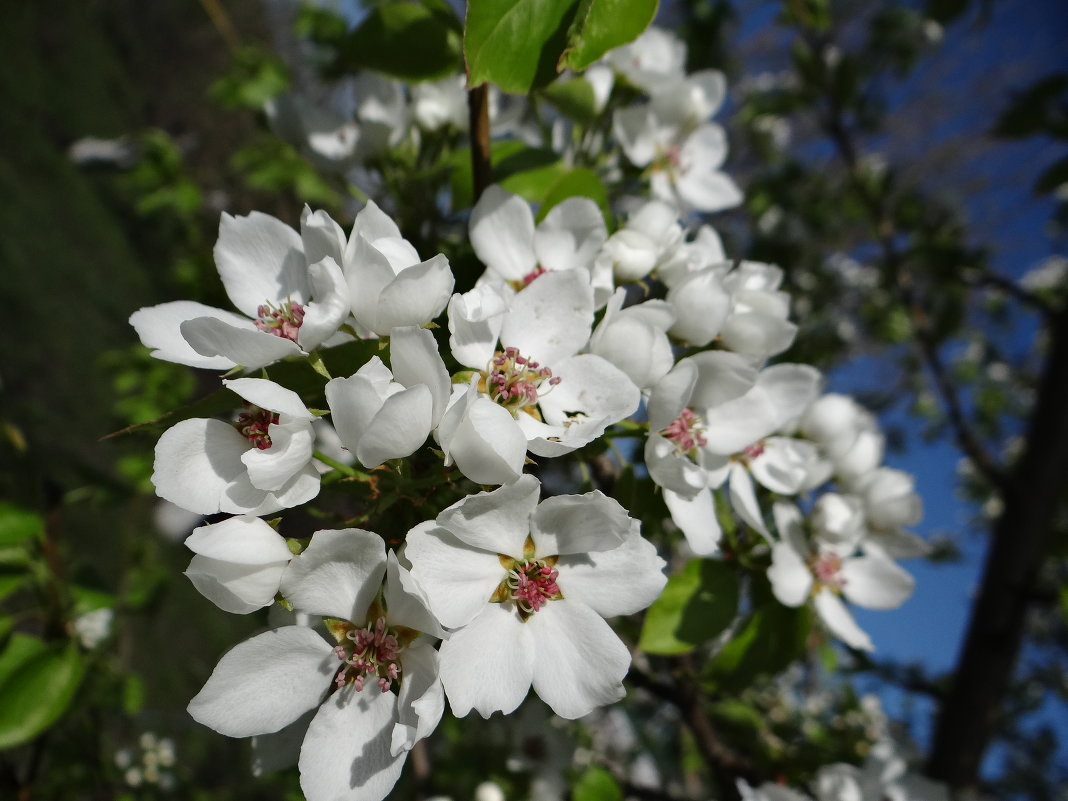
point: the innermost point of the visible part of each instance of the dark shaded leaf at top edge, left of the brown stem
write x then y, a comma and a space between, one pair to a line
406, 39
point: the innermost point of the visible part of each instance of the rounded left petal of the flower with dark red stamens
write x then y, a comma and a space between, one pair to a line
197, 461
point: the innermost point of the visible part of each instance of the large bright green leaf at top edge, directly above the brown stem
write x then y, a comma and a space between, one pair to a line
516, 44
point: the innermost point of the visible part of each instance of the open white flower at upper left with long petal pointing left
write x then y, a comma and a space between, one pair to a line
291, 295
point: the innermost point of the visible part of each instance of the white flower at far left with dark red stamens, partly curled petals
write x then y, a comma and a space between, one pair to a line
259, 464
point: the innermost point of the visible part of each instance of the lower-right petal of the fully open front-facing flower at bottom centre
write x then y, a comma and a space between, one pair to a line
579, 663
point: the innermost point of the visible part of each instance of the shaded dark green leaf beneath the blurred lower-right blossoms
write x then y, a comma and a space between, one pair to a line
773, 638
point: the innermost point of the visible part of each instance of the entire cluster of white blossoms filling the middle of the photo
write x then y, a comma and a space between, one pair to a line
553, 350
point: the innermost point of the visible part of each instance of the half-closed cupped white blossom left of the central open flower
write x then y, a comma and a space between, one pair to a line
382, 415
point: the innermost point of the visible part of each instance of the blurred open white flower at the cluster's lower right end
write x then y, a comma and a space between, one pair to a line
826, 573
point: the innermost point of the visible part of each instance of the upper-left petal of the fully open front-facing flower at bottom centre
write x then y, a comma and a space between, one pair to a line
497, 522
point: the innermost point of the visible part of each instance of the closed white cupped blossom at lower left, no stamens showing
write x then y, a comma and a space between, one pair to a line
239, 564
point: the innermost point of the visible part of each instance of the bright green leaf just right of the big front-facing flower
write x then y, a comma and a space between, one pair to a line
696, 606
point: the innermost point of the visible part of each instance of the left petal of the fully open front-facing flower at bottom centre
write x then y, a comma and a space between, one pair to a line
458, 580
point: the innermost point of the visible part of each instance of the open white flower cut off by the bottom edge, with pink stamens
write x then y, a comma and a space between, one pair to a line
347, 710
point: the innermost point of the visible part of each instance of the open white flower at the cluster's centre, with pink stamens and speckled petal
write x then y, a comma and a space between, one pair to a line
530, 388
